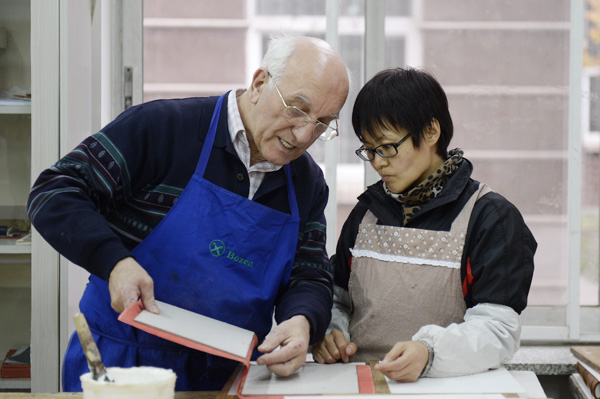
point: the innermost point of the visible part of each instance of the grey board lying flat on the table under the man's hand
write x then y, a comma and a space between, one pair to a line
310, 379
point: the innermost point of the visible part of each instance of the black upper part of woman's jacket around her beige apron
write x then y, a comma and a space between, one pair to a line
499, 247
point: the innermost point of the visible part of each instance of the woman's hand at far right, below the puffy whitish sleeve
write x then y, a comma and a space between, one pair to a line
405, 362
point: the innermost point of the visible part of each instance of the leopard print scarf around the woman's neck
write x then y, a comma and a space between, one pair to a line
414, 198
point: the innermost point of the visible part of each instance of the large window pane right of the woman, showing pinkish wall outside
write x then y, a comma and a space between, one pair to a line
507, 85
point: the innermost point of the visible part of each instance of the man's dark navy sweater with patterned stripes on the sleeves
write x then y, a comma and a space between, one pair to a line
104, 197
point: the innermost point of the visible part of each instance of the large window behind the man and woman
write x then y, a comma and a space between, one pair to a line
506, 70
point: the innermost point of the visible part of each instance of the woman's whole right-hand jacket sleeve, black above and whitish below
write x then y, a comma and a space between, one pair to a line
497, 272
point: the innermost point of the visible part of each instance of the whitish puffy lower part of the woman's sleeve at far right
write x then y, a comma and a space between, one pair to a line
488, 338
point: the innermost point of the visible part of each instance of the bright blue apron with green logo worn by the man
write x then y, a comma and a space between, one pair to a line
215, 253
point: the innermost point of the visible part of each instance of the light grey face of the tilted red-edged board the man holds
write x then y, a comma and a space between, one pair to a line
204, 330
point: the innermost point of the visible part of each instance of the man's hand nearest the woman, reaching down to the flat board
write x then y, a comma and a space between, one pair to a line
292, 336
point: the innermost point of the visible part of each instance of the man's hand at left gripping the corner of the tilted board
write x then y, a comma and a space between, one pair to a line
127, 282
